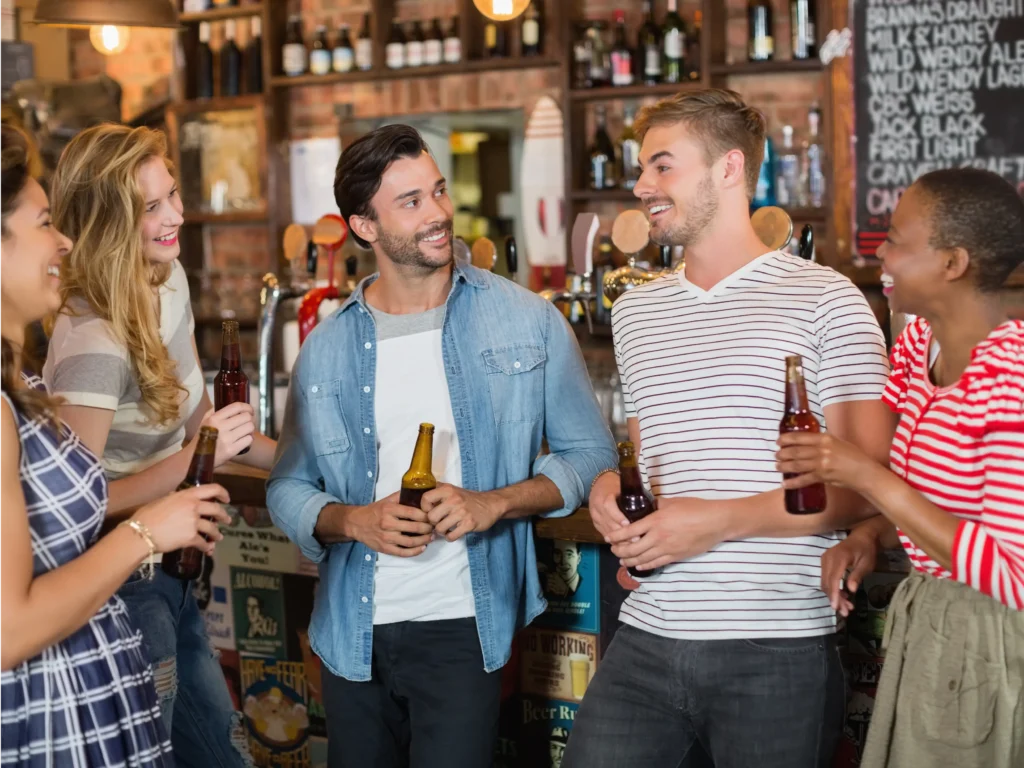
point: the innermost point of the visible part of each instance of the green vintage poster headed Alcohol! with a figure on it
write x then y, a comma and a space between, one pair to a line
260, 613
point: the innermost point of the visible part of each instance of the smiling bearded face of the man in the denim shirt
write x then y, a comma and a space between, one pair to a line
412, 223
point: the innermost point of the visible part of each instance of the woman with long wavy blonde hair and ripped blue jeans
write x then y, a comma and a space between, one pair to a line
123, 357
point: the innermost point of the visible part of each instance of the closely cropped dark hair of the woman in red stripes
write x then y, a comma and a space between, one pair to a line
980, 212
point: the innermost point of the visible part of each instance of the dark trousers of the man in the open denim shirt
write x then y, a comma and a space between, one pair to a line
430, 704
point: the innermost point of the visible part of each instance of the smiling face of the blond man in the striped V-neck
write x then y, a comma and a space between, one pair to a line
677, 186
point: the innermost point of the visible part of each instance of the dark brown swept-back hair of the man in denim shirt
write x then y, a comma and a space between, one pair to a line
363, 164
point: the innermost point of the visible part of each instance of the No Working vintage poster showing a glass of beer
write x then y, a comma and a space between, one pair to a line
556, 664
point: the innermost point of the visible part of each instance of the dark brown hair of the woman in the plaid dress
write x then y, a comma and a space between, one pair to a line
16, 155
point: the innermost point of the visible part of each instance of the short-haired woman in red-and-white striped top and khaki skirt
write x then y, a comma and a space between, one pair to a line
952, 686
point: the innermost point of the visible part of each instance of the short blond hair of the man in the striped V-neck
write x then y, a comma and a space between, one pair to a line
721, 122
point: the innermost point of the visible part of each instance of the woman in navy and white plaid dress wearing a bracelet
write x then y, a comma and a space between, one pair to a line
75, 690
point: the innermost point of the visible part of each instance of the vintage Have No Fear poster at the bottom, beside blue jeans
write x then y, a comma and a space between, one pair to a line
276, 712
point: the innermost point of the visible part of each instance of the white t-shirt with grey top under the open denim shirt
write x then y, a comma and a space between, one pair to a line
436, 585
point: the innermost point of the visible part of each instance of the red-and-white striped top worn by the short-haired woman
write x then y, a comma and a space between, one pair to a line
963, 448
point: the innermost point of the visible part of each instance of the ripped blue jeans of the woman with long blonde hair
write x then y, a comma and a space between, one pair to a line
198, 712
